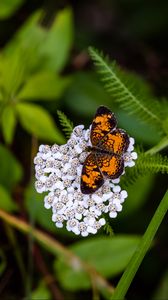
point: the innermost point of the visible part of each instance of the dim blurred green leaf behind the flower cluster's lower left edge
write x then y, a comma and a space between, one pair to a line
34, 203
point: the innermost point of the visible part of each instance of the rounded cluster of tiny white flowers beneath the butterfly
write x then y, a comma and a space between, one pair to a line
58, 171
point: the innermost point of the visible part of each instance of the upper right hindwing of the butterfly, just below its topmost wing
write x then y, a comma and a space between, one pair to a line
116, 141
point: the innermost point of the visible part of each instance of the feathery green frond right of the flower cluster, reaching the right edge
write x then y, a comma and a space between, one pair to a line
146, 164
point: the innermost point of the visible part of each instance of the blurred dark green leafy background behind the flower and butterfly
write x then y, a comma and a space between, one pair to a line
45, 66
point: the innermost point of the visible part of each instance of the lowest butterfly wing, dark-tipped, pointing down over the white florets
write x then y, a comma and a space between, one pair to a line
91, 177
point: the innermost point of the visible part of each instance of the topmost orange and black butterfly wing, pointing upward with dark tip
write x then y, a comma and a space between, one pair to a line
103, 122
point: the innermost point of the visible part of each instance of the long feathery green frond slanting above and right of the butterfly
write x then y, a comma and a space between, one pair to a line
121, 87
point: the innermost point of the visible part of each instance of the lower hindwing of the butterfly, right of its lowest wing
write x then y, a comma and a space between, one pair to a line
111, 166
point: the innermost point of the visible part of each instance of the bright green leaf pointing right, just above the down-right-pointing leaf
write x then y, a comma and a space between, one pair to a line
44, 86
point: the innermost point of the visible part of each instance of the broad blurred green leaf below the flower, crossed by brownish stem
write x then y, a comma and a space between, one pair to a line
109, 256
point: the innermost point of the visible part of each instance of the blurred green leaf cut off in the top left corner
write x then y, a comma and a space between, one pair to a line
8, 7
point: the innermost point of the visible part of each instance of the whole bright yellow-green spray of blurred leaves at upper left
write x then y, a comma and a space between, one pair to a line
29, 70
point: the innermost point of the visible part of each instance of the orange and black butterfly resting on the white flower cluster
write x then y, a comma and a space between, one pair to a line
105, 159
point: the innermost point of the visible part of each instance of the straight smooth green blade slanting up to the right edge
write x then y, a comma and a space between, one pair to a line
141, 250
